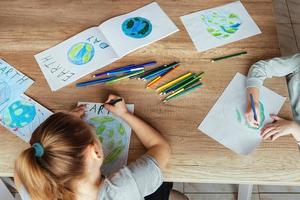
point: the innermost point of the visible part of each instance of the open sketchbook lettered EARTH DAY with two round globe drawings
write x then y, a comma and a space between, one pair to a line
99, 46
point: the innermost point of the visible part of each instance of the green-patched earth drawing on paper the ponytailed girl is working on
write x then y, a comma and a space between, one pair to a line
112, 135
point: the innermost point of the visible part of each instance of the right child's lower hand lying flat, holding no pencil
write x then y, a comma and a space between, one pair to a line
280, 127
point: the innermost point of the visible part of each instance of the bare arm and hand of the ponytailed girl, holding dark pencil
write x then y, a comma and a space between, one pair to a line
154, 142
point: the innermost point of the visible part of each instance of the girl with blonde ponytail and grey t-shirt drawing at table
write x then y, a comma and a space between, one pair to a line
64, 160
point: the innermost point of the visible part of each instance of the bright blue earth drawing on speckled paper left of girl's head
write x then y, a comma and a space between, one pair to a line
19, 114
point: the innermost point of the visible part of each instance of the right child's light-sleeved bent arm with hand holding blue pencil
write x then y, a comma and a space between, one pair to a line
261, 70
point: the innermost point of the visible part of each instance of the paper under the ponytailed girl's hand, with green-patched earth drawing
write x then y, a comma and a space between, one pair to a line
113, 133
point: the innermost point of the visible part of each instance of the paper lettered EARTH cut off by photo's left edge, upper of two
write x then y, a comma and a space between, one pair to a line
12, 83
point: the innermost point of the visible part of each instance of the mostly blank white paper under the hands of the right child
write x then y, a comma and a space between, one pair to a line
225, 122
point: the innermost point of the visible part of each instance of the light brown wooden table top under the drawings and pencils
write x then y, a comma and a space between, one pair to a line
29, 27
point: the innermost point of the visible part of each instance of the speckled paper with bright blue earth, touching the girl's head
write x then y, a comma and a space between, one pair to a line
23, 116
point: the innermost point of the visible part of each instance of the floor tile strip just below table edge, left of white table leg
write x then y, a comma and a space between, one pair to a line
209, 188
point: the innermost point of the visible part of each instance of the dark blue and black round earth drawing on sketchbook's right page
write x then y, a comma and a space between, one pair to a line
137, 27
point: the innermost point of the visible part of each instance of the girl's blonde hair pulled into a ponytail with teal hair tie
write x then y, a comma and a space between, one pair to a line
49, 176
